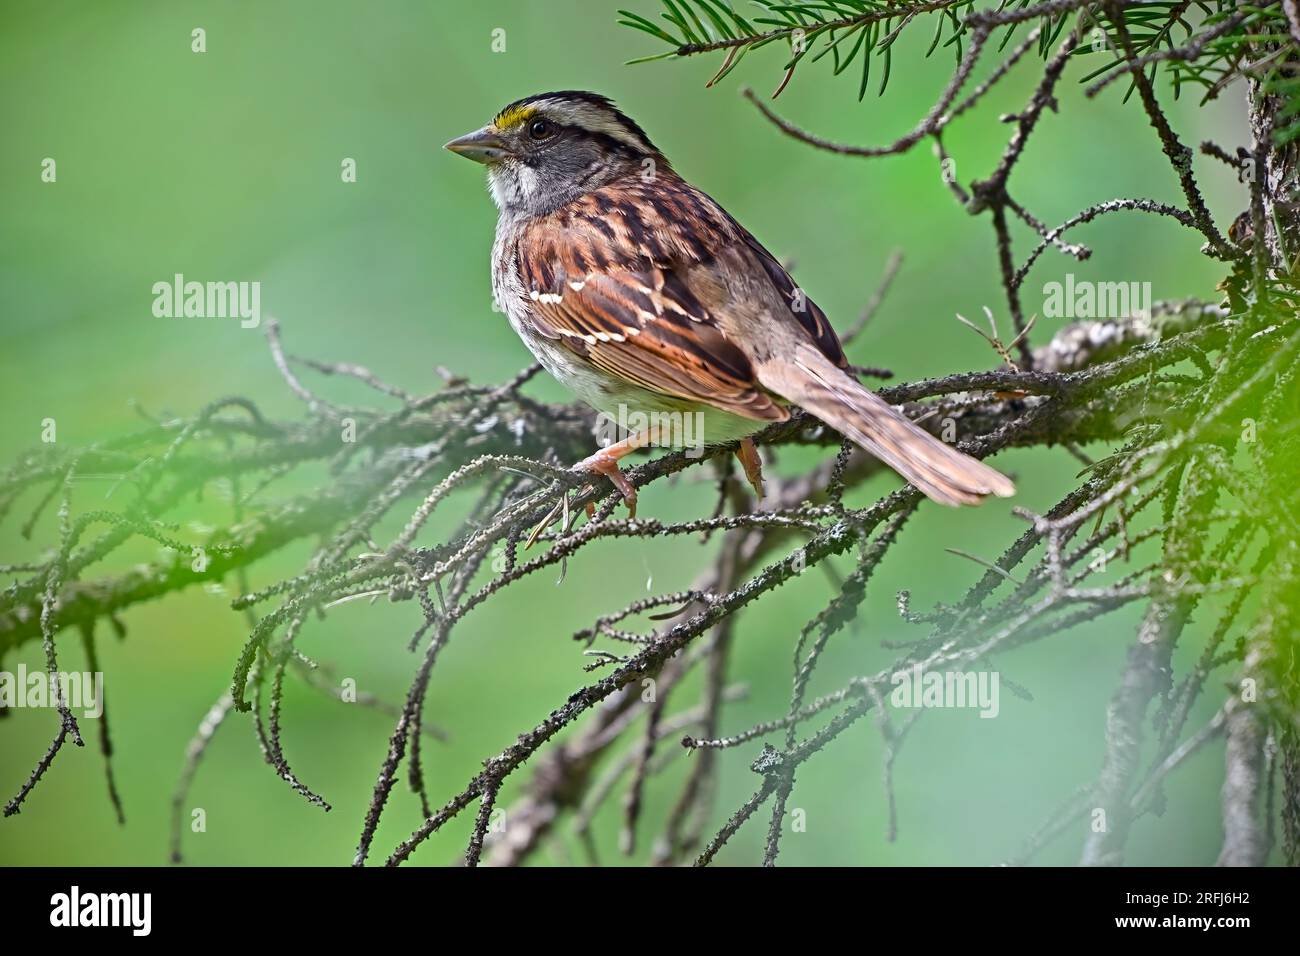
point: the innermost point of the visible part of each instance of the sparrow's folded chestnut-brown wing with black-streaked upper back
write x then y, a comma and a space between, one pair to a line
613, 278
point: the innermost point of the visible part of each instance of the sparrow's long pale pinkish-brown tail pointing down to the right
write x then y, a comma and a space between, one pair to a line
941, 471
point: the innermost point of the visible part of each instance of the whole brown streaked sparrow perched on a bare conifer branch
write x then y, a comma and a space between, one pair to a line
651, 302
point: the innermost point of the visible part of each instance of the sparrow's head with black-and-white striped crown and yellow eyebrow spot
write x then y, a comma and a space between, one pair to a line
545, 150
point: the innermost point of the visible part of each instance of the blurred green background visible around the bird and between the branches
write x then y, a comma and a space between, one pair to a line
226, 166
